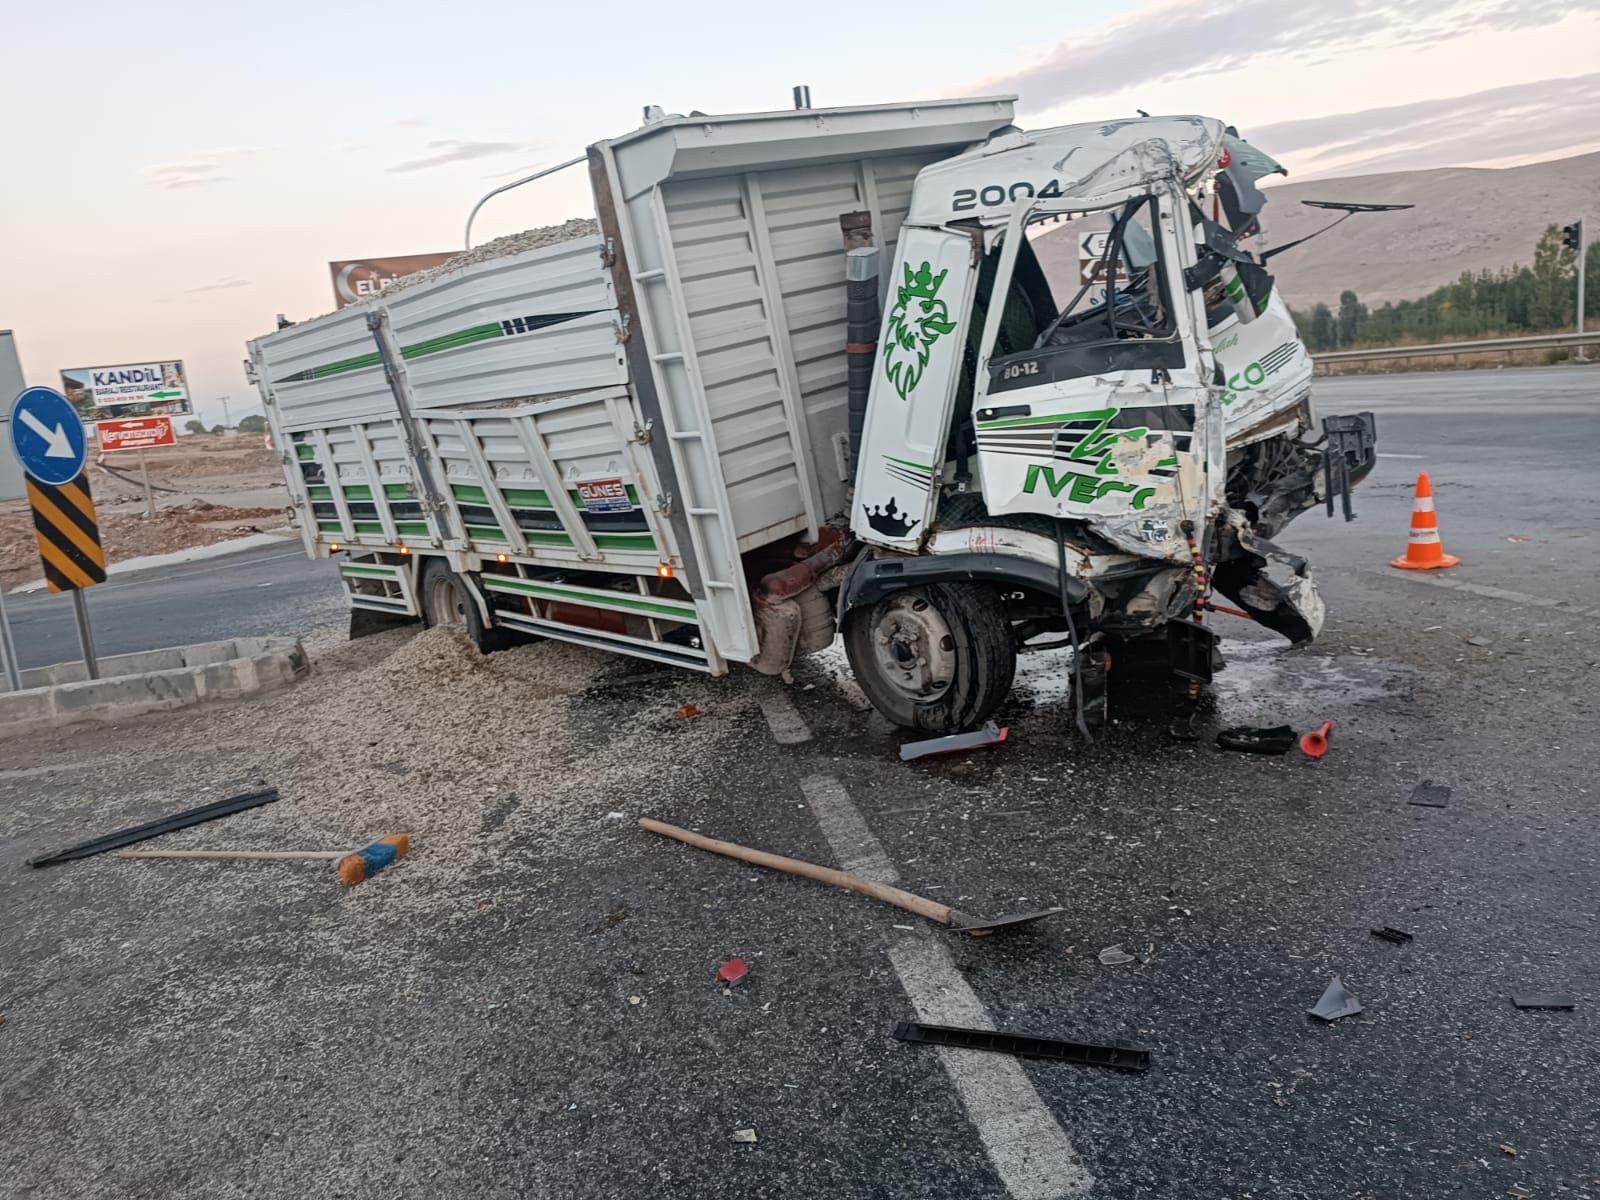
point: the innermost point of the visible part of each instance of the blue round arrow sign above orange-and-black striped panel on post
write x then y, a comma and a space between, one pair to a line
54, 450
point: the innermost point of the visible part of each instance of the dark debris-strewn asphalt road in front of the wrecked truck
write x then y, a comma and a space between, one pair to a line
551, 1030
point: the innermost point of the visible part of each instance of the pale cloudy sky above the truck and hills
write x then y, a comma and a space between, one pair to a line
182, 172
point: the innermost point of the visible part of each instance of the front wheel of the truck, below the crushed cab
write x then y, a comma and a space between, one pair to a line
937, 658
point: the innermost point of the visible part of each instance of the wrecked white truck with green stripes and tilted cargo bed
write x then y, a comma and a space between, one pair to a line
825, 370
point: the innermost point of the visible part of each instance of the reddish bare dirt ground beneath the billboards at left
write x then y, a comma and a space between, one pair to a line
209, 489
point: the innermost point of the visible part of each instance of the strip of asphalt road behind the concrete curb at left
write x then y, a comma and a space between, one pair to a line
268, 590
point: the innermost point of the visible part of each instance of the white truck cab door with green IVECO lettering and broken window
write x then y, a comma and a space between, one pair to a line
1105, 417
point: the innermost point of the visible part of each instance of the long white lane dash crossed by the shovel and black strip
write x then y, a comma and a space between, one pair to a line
1030, 1150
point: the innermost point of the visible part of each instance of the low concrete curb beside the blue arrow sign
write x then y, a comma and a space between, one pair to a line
150, 682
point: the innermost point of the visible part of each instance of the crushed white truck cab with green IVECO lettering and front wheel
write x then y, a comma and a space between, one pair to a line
1086, 450
